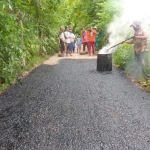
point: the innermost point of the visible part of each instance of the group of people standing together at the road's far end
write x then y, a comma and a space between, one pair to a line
68, 40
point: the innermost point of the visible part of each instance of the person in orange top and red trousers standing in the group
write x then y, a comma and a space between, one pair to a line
91, 40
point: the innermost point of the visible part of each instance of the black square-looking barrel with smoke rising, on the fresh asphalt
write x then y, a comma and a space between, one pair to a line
104, 62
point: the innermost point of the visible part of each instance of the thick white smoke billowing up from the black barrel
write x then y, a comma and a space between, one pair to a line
119, 29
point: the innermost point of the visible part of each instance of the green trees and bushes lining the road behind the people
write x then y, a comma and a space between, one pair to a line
28, 31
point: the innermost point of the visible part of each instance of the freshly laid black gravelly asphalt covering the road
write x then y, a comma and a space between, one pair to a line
71, 106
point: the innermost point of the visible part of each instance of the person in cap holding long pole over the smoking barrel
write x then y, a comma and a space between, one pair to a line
138, 68
